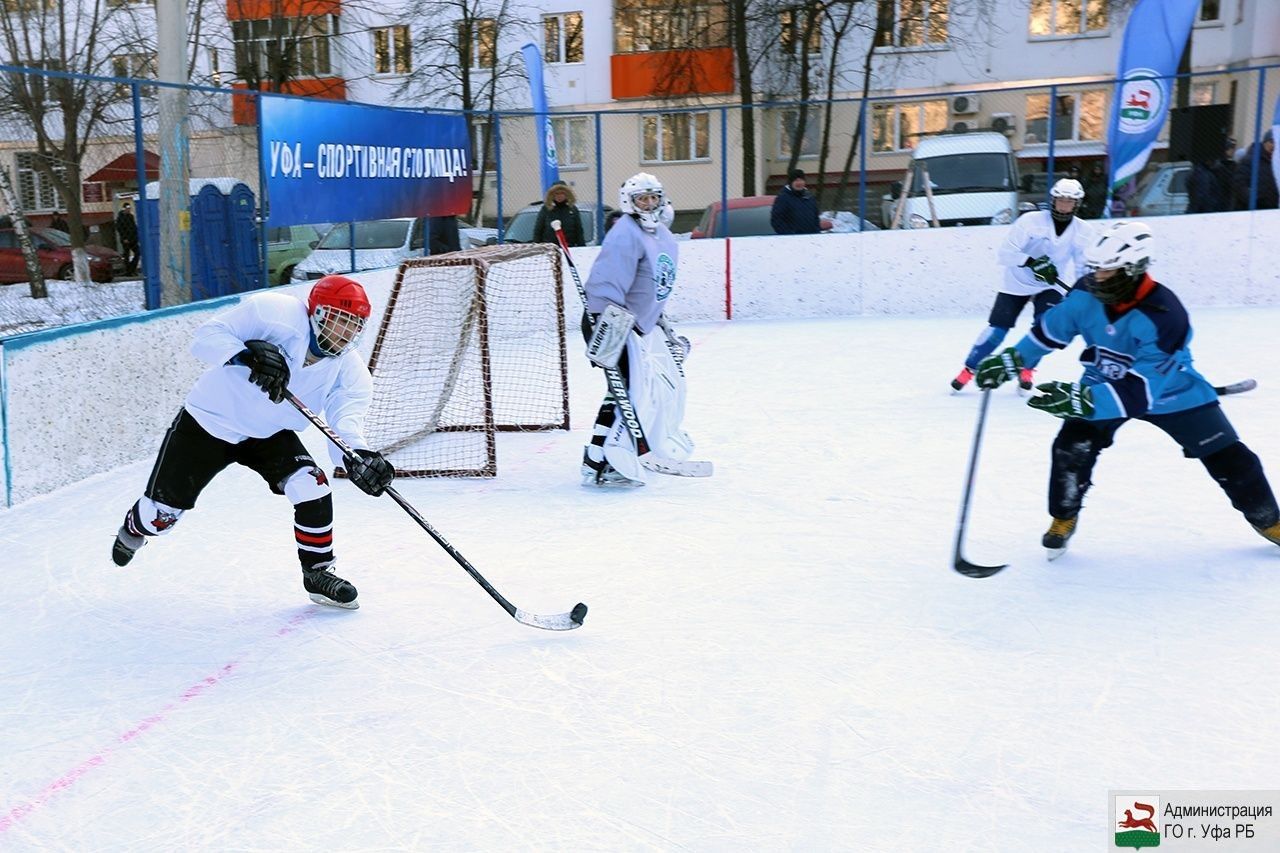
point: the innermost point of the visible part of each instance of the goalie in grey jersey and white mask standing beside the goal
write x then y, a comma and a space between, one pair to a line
627, 294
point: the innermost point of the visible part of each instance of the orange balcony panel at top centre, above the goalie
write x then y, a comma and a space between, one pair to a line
673, 74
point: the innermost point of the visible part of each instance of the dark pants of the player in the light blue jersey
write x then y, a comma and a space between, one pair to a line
1204, 434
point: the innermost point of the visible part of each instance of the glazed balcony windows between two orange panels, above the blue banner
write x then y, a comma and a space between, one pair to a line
296, 47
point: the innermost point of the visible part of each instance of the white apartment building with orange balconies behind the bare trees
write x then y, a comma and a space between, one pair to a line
656, 84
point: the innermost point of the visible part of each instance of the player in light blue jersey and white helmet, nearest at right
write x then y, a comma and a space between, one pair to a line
1137, 364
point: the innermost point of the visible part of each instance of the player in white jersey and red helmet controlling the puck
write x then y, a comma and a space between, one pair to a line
236, 413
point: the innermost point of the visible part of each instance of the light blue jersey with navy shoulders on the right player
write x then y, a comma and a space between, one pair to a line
1137, 362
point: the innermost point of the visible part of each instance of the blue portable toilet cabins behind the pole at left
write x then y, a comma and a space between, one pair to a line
226, 256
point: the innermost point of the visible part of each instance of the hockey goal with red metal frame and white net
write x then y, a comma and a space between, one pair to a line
472, 344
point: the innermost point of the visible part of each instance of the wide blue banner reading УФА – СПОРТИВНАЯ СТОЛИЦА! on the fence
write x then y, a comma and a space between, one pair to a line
339, 162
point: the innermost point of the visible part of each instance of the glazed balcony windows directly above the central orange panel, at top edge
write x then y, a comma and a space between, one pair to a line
641, 26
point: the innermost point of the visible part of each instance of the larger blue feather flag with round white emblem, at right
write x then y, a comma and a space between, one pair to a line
1154, 42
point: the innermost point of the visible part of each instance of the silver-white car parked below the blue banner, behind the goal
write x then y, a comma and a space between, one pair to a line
378, 244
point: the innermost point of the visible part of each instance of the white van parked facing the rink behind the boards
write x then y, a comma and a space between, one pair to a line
972, 179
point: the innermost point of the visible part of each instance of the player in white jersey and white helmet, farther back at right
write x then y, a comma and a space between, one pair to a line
1040, 249
